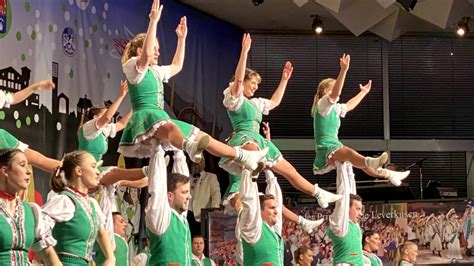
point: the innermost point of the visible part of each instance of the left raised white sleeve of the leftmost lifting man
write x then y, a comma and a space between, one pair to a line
158, 210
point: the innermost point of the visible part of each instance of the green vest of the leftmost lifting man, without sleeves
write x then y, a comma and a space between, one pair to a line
174, 246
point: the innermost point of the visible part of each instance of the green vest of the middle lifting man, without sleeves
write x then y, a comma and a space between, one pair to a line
268, 249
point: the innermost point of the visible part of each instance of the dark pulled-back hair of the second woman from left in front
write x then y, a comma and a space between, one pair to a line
64, 172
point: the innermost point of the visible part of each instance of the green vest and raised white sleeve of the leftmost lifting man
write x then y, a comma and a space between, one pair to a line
168, 230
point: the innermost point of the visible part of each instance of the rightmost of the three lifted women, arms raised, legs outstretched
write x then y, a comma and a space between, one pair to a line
326, 113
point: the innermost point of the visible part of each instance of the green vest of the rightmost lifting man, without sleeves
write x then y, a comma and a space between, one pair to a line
348, 249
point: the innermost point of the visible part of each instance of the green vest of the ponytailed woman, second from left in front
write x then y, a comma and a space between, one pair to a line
76, 236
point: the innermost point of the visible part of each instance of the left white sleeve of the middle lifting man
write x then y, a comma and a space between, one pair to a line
250, 222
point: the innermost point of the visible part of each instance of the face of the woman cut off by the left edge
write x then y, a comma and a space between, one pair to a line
17, 174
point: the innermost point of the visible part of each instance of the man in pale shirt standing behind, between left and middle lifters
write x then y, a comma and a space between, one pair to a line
206, 192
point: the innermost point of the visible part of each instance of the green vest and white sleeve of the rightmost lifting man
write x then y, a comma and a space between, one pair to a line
345, 234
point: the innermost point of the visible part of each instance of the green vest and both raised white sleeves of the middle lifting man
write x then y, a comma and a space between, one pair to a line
261, 242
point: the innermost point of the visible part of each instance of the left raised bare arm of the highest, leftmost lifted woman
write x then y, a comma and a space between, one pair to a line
149, 45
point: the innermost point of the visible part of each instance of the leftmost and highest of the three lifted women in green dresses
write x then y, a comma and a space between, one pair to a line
149, 121
